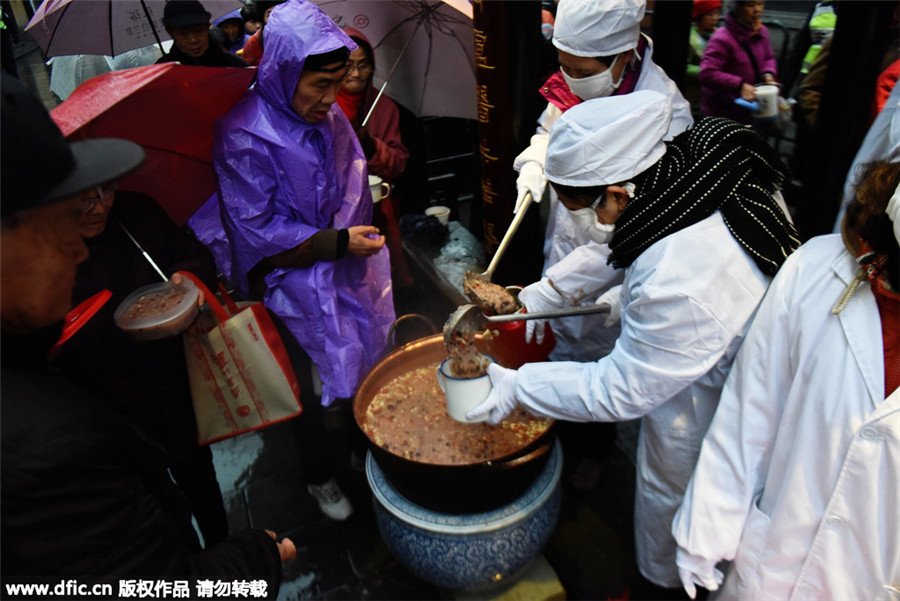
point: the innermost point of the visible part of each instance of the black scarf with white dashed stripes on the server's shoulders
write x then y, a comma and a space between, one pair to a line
716, 165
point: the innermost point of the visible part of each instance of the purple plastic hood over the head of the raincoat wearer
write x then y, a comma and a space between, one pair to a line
296, 30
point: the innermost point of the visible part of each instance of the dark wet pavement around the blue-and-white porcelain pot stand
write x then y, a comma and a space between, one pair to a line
590, 550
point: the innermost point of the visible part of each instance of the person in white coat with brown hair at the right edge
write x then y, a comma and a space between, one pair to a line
798, 479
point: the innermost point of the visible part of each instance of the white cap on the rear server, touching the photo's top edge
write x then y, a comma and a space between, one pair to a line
595, 28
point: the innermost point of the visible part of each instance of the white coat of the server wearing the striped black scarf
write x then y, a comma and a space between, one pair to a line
686, 302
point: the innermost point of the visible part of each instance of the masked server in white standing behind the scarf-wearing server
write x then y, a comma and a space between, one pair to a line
602, 53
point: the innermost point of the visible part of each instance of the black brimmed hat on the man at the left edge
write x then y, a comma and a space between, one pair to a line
39, 166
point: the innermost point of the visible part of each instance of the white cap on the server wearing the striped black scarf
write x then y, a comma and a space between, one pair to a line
608, 140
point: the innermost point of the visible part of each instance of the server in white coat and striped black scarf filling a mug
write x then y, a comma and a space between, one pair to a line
698, 236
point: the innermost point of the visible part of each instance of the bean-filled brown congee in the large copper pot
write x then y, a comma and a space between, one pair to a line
408, 417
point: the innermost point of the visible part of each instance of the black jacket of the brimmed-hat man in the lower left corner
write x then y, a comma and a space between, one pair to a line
85, 495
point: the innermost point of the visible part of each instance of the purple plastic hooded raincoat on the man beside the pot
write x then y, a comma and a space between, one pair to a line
281, 180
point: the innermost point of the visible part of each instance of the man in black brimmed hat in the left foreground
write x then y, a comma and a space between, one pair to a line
85, 500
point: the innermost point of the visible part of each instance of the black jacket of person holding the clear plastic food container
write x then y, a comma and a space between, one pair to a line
146, 381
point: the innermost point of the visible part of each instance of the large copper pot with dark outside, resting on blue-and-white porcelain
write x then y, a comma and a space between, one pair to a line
466, 488
